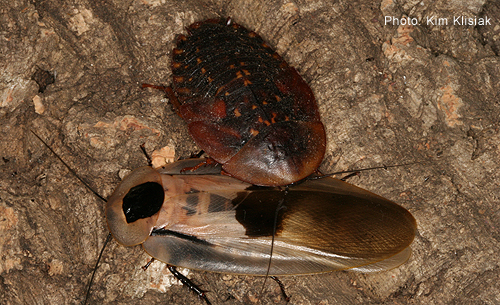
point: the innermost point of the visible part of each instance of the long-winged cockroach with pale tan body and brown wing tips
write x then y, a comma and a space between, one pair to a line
206, 221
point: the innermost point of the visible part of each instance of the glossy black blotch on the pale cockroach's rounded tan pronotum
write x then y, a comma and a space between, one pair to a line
143, 201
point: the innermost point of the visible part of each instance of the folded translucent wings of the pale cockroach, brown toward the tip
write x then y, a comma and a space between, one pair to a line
322, 225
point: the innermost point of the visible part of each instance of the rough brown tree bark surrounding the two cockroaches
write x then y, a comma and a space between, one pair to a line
388, 94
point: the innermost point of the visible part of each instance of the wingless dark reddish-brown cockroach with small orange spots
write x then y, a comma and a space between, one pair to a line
244, 105
